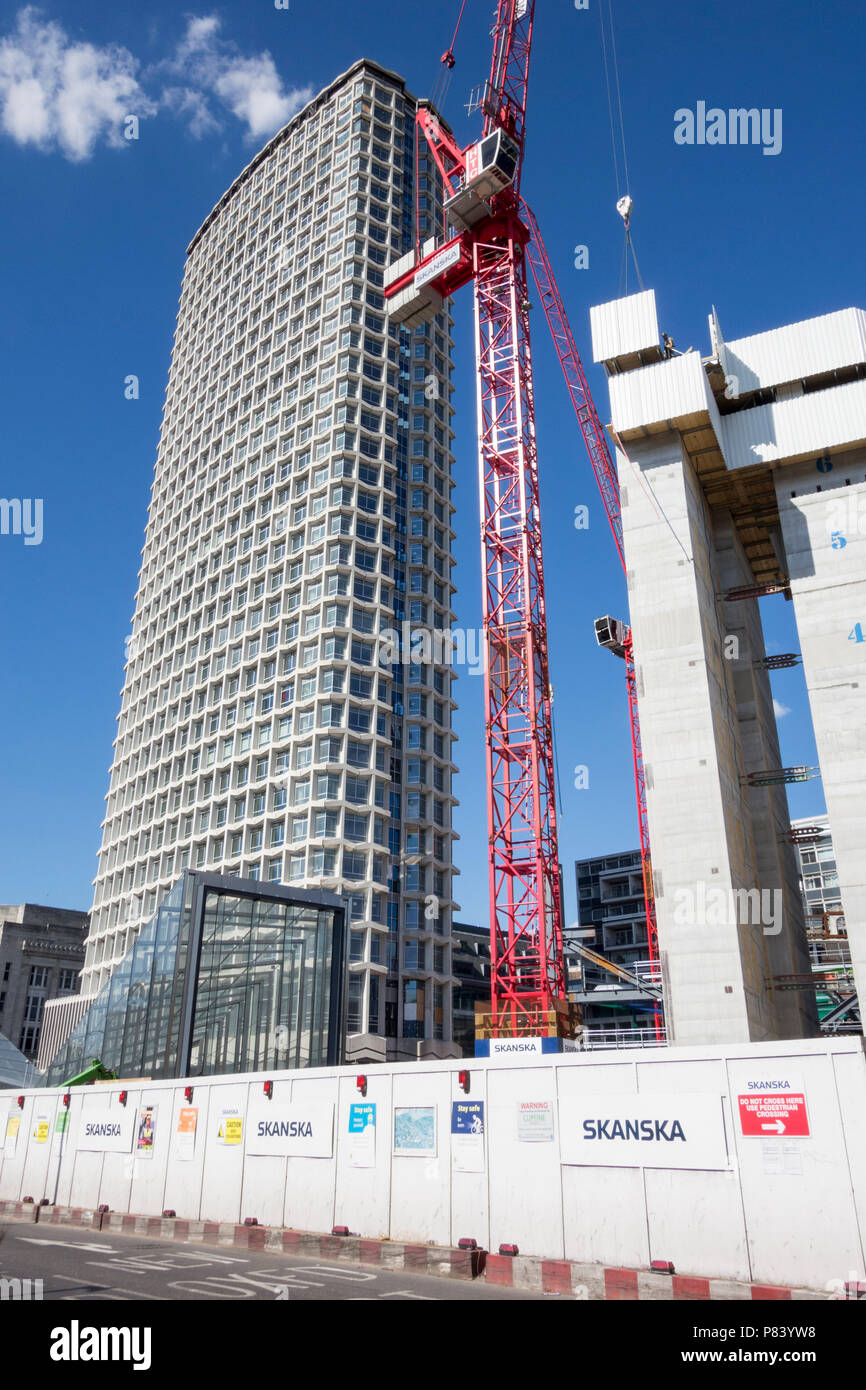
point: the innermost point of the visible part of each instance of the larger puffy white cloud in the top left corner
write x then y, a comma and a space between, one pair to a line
59, 94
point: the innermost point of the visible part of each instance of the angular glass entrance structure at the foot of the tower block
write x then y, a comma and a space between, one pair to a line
220, 981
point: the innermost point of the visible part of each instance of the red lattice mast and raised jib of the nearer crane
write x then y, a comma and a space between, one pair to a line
528, 974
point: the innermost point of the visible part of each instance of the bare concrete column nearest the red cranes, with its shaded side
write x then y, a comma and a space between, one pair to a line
717, 949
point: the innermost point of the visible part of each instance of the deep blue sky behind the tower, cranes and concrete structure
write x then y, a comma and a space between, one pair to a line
92, 245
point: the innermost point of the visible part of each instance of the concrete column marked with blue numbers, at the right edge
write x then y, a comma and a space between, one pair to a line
824, 521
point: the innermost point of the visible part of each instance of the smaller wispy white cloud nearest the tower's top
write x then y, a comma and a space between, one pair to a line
250, 87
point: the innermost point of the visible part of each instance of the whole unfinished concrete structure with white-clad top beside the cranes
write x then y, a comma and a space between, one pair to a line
742, 473
